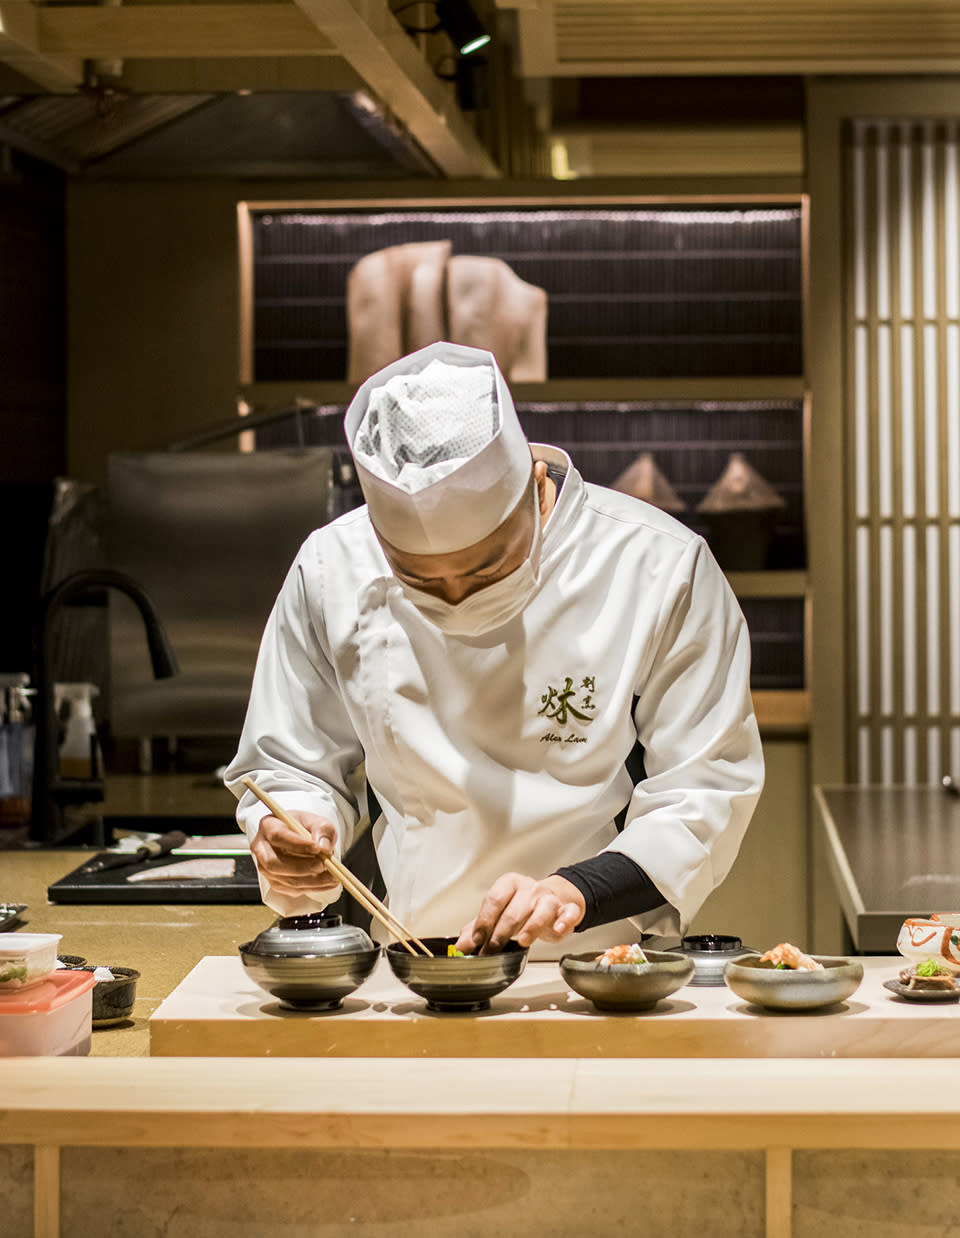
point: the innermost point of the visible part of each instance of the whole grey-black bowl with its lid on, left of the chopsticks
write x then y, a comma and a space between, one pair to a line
310, 963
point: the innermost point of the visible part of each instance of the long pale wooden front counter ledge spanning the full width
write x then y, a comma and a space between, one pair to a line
464, 1104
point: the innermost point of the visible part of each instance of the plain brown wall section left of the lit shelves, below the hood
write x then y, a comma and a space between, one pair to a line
152, 316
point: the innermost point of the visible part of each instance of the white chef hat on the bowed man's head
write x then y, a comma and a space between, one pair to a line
440, 456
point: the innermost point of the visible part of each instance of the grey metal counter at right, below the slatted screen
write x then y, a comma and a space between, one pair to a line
894, 852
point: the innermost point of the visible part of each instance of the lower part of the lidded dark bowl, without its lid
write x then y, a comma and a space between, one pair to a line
310, 982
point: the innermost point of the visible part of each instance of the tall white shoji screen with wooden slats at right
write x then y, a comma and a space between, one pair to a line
904, 426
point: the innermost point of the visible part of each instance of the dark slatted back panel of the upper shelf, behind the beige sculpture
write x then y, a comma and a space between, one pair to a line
635, 293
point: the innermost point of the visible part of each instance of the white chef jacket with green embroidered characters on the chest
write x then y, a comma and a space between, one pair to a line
506, 752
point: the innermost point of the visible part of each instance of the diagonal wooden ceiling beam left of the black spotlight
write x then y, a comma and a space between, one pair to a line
370, 38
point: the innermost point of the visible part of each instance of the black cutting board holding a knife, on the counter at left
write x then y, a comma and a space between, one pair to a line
112, 886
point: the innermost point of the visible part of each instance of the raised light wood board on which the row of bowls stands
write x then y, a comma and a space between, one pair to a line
220, 1012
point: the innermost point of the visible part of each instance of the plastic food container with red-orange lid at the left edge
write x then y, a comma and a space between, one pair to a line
51, 1019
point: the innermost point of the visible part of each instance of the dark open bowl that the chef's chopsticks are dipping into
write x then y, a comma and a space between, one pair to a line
456, 985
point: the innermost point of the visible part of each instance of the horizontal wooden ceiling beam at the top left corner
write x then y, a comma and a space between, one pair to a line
179, 32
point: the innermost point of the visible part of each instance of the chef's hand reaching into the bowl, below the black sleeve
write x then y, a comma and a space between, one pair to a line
525, 909
